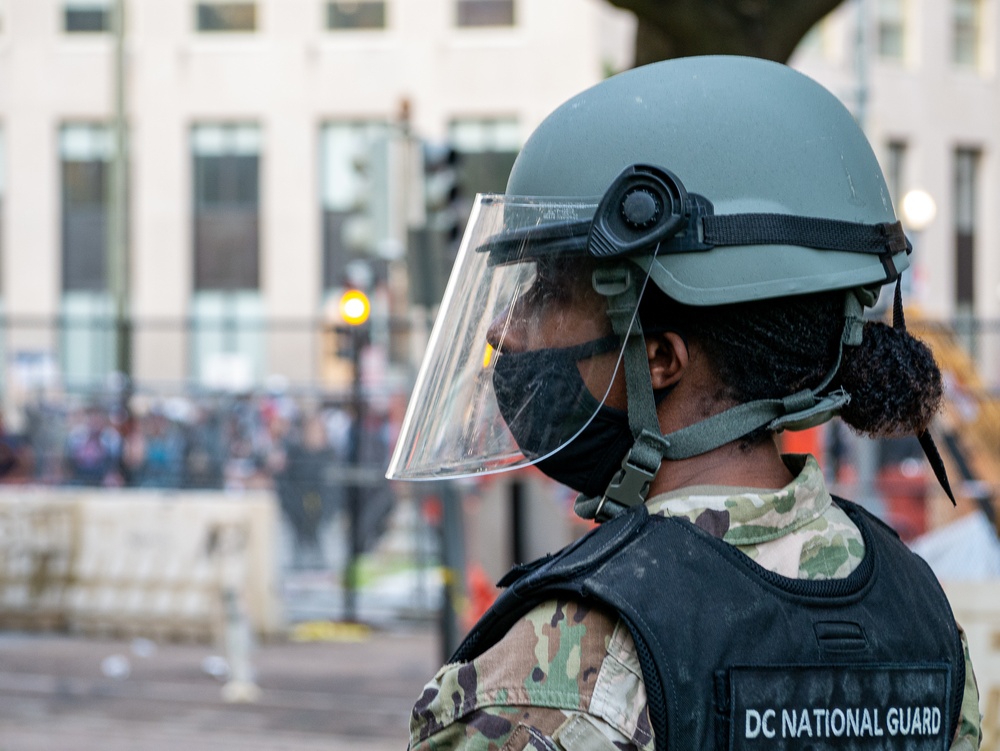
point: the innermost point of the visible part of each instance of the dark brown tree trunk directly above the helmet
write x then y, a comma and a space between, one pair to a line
769, 29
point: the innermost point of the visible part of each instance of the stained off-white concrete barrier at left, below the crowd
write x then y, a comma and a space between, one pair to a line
138, 561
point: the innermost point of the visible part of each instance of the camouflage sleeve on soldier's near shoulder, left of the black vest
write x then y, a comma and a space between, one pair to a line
535, 689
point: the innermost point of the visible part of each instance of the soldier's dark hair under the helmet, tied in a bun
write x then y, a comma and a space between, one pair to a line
770, 349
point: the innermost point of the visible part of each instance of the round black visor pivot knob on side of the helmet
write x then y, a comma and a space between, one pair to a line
643, 206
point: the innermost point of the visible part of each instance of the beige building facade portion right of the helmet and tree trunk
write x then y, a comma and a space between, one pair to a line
922, 76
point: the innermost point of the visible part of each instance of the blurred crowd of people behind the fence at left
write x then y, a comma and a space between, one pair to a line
219, 442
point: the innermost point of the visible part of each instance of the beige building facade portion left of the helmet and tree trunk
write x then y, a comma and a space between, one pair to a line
246, 121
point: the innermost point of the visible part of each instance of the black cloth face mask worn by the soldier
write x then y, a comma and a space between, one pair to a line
545, 402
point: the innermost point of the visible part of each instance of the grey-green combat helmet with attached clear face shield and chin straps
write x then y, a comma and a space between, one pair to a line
718, 179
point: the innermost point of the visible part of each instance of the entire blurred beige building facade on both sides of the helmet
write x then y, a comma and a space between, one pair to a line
247, 120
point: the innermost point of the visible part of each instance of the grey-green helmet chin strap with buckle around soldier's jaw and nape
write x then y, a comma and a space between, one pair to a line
798, 411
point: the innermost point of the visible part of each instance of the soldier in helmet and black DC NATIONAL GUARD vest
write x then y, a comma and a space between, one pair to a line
678, 271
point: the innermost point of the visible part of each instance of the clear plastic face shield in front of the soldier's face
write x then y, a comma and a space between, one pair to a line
522, 355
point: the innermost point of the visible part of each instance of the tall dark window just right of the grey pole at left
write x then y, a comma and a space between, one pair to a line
226, 206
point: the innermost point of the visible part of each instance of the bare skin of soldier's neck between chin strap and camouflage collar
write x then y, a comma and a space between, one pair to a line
759, 466
